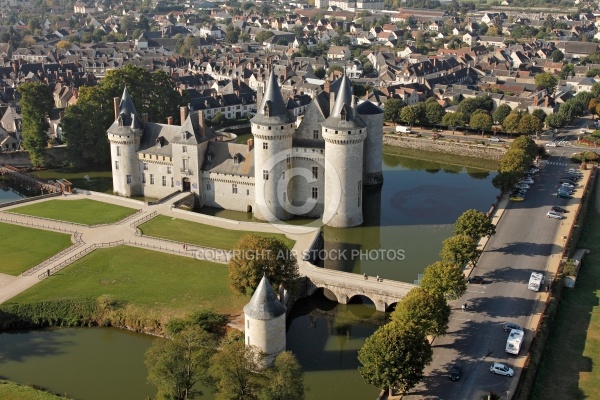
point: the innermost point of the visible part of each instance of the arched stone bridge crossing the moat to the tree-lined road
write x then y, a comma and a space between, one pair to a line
345, 285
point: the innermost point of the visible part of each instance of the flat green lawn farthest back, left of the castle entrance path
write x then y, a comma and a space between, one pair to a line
84, 211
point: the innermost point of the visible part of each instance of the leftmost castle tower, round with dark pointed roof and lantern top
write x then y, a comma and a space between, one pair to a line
124, 137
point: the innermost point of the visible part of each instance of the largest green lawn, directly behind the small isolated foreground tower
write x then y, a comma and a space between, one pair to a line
165, 284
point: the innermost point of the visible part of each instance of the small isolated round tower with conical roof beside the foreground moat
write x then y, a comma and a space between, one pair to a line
264, 322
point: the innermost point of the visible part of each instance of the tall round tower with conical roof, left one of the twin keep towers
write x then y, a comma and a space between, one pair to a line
272, 128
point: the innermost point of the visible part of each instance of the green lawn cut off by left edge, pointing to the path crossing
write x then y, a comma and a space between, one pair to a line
23, 248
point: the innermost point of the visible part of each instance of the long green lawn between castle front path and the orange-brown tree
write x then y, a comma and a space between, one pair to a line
200, 234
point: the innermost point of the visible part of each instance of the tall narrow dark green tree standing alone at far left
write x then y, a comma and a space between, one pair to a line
36, 103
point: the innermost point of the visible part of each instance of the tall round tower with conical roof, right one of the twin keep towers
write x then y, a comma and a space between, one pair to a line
344, 133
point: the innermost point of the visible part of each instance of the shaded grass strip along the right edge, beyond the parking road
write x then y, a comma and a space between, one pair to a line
569, 367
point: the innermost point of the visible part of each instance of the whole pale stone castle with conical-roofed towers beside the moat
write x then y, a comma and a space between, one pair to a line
315, 168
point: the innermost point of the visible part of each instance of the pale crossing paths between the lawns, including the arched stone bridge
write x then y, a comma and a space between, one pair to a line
87, 238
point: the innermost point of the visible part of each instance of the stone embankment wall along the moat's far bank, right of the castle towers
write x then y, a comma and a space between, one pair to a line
452, 146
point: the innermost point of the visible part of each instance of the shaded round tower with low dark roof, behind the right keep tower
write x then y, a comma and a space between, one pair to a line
373, 150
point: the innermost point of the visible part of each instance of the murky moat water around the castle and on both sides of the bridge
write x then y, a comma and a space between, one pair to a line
413, 211
